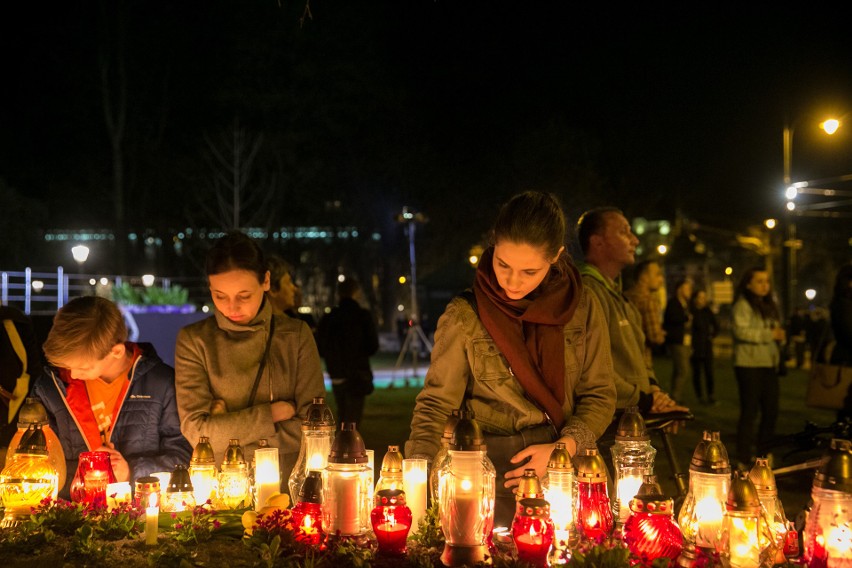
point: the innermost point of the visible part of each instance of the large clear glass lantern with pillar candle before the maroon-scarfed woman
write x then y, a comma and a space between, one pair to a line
466, 492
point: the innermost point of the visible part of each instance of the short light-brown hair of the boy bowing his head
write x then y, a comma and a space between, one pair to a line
87, 327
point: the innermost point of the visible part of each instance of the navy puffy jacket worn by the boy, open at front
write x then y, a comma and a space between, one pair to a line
147, 428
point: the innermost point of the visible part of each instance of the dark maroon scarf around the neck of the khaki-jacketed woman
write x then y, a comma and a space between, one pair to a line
529, 331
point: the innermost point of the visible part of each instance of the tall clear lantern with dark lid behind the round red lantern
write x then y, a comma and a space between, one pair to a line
632, 459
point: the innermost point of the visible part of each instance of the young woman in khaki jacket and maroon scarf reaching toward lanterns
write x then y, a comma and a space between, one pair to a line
533, 345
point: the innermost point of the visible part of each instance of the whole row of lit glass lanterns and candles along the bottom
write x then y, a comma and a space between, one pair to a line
737, 517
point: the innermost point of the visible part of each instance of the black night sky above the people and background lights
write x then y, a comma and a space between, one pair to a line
446, 106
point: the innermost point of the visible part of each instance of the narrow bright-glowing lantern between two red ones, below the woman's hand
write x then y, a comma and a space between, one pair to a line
558, 486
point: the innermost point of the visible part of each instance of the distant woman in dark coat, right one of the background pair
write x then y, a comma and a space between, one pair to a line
705, 327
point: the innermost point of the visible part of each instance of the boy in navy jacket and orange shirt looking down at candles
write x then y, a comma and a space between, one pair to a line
104, 393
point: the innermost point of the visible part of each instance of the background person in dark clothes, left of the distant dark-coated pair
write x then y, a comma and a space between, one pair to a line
677, 321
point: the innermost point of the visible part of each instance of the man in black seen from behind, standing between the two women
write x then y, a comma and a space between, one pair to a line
347, 338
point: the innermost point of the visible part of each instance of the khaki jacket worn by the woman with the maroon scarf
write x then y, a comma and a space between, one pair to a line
465, 351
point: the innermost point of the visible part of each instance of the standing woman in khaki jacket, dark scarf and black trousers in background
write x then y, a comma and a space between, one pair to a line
757, 332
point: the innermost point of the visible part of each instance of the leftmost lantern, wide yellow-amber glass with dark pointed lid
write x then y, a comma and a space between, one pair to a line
27, 479
